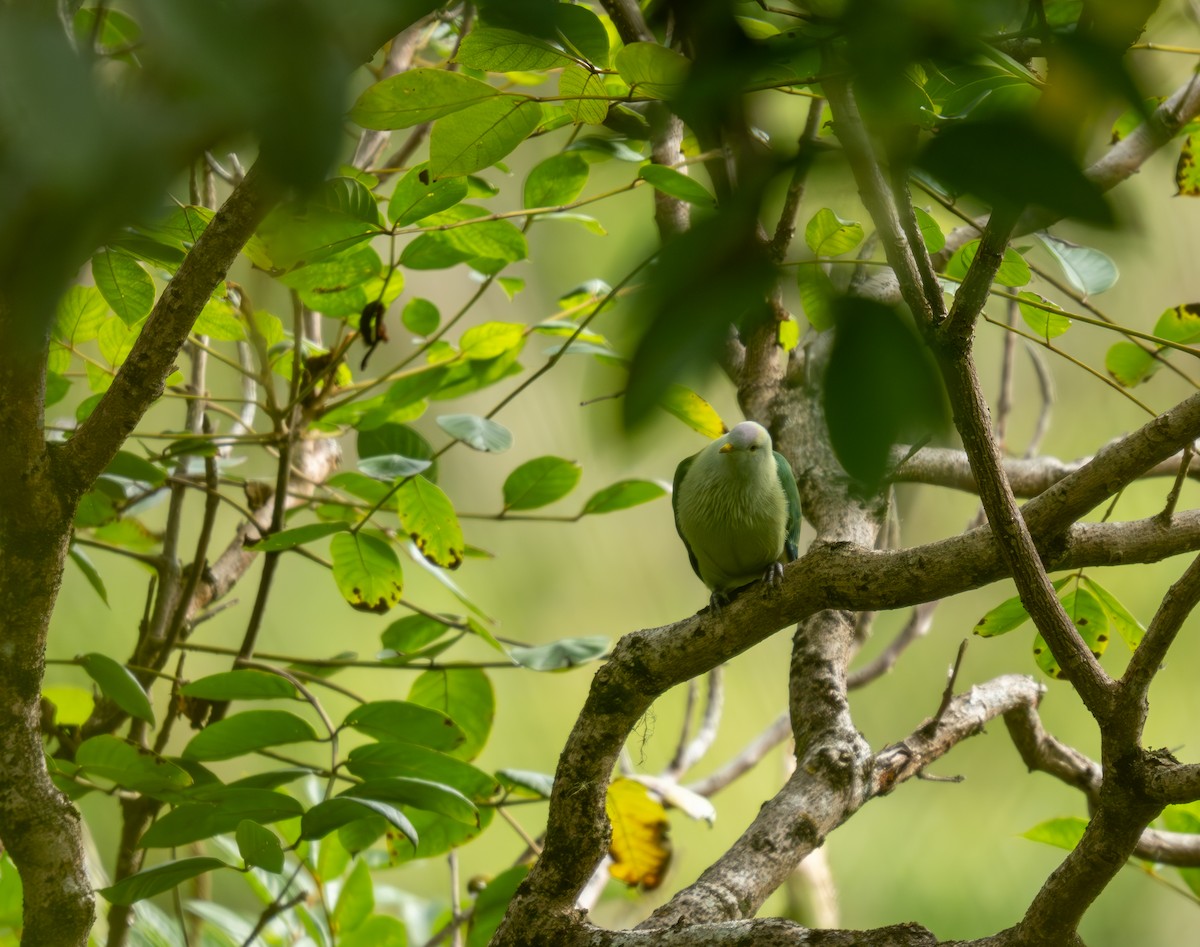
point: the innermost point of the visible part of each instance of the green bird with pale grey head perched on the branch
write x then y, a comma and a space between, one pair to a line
737, 511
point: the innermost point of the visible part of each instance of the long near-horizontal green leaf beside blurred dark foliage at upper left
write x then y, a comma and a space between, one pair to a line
418, 97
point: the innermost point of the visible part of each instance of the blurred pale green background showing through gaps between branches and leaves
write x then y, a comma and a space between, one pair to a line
947, 855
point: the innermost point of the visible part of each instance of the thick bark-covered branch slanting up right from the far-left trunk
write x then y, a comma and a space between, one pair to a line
141, 379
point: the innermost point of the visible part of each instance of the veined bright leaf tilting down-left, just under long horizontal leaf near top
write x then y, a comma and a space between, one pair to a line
479, 136
